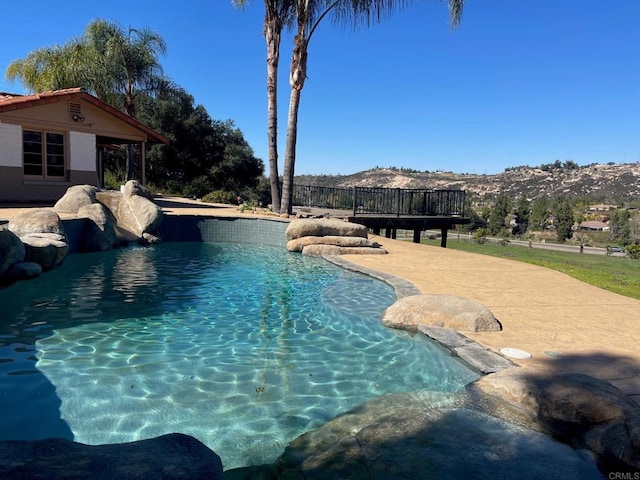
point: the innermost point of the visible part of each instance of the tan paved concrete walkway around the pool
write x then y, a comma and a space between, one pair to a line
566, 325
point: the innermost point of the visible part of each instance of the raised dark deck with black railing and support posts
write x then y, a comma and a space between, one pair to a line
389, 208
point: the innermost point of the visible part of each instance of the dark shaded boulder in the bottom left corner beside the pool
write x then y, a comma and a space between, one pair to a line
169, 457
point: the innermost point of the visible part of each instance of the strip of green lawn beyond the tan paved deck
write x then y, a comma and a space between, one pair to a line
616, 274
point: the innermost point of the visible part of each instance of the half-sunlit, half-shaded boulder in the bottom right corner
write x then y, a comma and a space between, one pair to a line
578, 409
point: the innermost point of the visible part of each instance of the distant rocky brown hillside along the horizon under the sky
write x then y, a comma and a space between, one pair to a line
608, 183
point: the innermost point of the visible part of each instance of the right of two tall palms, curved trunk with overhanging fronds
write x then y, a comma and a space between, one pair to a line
309, 14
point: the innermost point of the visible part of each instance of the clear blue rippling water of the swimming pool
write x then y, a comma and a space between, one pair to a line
243, 347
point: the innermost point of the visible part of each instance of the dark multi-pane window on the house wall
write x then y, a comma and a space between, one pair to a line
43, 154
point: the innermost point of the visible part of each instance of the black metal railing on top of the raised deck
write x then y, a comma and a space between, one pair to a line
382, 201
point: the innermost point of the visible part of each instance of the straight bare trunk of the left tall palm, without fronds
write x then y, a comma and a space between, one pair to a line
272, 36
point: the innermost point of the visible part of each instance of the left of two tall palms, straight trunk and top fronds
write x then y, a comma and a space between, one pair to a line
278, 14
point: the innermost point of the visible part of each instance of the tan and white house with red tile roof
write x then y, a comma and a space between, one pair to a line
53, 140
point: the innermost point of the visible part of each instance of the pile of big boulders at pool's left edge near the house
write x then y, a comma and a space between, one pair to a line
35, 240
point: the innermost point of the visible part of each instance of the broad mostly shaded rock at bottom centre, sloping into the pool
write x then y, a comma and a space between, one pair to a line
426, 435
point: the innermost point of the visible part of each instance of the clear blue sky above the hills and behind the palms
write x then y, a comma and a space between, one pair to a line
519, 82
